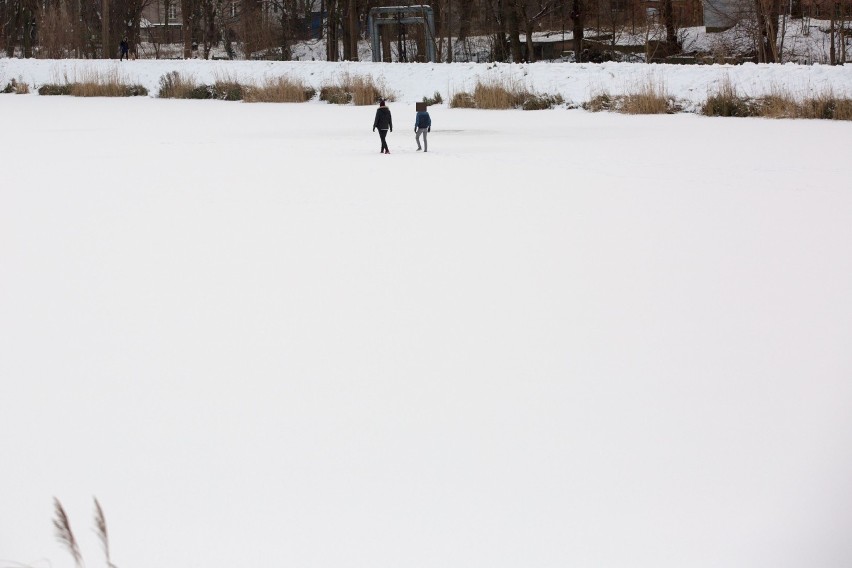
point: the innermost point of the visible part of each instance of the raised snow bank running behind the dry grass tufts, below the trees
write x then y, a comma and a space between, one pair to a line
411, 82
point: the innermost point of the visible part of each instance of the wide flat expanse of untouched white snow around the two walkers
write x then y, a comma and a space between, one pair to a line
557, 339
